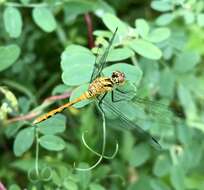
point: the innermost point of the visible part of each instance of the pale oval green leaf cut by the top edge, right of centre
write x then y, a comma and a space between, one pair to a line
162, 6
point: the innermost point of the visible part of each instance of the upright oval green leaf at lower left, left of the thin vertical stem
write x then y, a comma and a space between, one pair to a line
23, 141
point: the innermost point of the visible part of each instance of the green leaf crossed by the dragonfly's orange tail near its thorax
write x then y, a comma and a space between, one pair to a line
77, 92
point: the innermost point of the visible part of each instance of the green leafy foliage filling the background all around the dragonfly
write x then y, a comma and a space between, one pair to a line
45, 52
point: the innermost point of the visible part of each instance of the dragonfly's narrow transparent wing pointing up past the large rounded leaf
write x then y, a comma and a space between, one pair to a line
101, 60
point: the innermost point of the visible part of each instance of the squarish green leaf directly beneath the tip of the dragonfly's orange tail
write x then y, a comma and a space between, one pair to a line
53, 125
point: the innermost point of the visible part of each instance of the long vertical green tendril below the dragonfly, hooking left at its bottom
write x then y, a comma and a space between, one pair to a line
103, 146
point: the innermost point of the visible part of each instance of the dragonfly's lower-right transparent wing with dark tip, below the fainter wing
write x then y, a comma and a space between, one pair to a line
127, 123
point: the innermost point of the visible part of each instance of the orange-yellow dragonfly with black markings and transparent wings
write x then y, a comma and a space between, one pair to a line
99, 87
